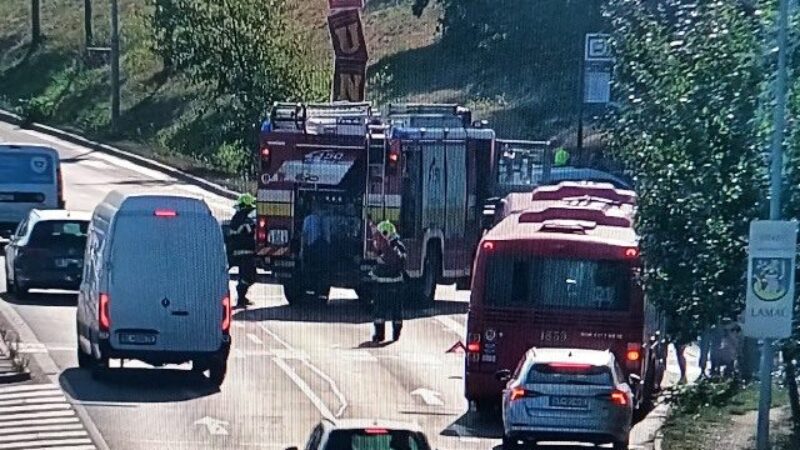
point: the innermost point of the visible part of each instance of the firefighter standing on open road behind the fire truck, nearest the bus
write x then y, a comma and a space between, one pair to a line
388, 277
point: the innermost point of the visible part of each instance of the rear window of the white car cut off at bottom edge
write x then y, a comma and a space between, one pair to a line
375, 439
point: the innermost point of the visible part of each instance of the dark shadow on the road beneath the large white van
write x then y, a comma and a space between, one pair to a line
136, 386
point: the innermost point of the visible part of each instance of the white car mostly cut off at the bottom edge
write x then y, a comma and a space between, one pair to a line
358, 434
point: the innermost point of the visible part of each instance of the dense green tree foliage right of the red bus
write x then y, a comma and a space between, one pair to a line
690, 76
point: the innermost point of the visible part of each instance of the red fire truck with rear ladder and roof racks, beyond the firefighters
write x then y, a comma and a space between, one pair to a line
425, 168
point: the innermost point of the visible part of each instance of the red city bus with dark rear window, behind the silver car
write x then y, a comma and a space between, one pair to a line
541, 281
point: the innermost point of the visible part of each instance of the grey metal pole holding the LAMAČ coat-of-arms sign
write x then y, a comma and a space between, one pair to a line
776, 179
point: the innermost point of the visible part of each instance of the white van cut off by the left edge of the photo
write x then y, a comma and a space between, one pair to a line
30, 177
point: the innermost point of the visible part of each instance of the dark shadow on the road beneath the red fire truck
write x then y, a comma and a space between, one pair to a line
342, 311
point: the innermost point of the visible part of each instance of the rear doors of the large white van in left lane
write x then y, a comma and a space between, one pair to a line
167, 281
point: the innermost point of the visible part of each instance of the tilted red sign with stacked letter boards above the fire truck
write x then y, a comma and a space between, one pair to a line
350, 50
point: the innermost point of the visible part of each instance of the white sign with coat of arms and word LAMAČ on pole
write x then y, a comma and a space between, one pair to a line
770, 279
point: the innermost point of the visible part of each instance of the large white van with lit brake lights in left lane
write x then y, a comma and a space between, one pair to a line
155, 285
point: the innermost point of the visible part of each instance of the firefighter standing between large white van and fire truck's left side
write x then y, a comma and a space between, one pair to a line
243, 246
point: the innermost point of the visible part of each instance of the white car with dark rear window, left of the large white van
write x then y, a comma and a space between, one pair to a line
46, 251
